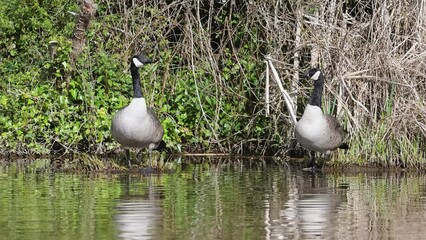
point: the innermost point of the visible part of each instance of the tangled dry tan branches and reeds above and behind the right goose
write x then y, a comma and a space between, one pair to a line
373, 53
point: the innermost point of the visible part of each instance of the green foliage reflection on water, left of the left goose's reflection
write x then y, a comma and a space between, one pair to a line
56, 206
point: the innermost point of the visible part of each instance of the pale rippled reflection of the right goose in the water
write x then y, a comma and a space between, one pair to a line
309, 211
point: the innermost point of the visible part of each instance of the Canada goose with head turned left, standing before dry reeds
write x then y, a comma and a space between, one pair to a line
316, 131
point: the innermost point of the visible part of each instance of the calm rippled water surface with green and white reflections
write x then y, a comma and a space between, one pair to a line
210, 199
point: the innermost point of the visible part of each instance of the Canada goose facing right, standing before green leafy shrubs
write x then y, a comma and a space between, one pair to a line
136, 125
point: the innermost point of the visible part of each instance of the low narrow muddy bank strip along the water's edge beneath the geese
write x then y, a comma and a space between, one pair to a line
162, 163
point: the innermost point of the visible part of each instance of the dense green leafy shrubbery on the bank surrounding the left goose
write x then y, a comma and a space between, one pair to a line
39, 114
